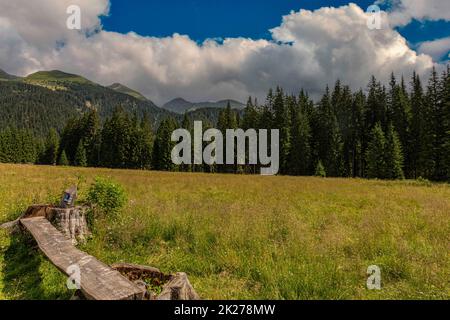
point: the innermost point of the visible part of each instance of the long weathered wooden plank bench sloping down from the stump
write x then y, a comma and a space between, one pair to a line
98, 281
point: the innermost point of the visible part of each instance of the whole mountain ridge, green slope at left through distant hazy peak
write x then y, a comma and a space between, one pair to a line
48, 99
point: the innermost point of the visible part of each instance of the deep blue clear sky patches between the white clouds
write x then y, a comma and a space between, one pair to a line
202, 19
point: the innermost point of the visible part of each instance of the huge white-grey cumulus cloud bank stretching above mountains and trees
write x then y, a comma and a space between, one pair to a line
309, 49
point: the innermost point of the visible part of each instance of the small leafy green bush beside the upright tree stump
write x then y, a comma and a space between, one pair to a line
106, 196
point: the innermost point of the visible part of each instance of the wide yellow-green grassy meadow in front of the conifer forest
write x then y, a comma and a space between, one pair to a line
246, 237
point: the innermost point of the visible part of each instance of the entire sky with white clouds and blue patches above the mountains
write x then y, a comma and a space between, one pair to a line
167, 57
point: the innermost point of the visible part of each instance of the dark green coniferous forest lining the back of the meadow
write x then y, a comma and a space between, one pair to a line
397, 131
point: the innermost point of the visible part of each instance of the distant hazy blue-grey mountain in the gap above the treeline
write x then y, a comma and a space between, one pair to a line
181, 106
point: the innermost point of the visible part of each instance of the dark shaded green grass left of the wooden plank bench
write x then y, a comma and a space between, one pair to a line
27, 275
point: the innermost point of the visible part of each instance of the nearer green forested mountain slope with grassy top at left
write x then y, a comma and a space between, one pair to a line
48, 99
